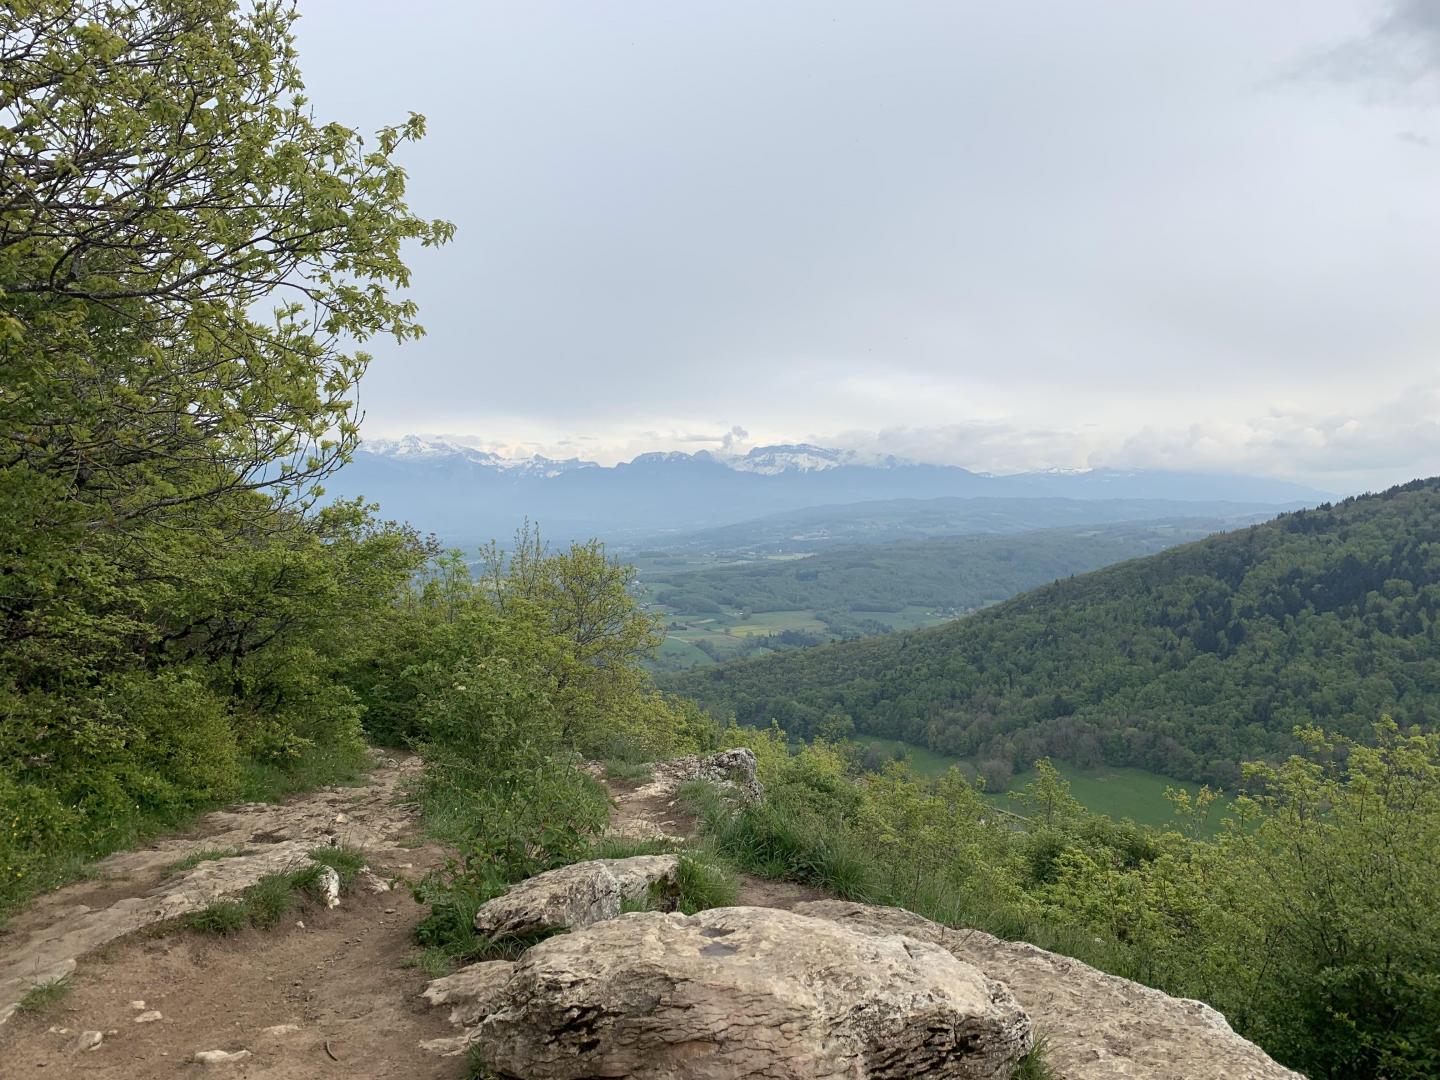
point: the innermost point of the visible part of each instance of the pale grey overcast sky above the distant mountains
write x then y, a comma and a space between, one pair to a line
1006, 235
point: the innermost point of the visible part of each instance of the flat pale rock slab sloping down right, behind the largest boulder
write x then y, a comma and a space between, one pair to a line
1097, 1026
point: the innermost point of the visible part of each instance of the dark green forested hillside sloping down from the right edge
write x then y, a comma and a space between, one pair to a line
1187, 663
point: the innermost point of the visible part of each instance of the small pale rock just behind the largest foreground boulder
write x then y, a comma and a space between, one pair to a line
575, 896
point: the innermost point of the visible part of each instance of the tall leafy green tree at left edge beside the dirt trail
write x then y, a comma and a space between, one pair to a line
191, 267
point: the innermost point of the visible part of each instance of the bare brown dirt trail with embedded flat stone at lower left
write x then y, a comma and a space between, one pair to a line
341, 980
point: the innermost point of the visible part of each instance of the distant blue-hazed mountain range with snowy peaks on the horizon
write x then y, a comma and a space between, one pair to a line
466, 493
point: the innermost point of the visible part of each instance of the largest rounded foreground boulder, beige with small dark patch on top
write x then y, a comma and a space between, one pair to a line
739, 993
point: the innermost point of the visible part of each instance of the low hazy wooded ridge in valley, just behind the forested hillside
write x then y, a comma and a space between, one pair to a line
951, 575
